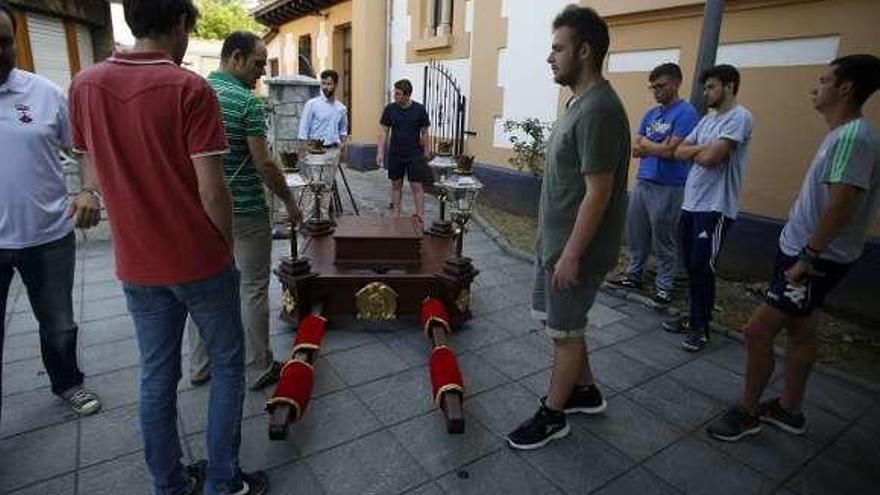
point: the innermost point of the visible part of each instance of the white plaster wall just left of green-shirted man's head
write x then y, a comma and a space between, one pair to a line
523, 73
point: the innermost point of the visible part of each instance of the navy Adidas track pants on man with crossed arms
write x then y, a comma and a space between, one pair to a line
702, 234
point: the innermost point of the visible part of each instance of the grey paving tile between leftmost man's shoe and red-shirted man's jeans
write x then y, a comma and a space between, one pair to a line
109, 434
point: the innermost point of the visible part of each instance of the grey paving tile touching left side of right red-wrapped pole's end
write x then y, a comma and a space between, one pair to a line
398, 397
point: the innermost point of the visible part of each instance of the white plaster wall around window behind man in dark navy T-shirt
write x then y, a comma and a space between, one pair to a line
400, 35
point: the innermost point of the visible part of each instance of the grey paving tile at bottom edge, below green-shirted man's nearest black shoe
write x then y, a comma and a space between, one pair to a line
501, 472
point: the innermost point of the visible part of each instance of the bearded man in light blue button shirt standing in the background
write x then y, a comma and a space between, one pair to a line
324, 117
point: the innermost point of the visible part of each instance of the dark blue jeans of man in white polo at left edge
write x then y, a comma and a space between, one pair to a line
47, 272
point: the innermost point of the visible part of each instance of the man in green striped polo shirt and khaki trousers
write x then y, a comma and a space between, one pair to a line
249, 169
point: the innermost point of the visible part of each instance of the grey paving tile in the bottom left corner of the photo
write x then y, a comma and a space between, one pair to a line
37, 455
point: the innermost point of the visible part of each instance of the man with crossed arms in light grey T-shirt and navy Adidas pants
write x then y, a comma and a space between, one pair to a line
718, 147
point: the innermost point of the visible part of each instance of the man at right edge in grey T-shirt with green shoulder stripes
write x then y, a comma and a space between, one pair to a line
827, 228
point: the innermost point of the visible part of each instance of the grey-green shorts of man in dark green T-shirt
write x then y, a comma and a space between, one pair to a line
564, 312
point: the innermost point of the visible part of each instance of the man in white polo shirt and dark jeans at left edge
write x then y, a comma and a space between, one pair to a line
36, 219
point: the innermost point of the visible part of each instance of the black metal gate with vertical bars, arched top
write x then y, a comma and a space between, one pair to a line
446, 106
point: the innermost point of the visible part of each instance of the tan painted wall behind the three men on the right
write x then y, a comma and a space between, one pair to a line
787, 129
